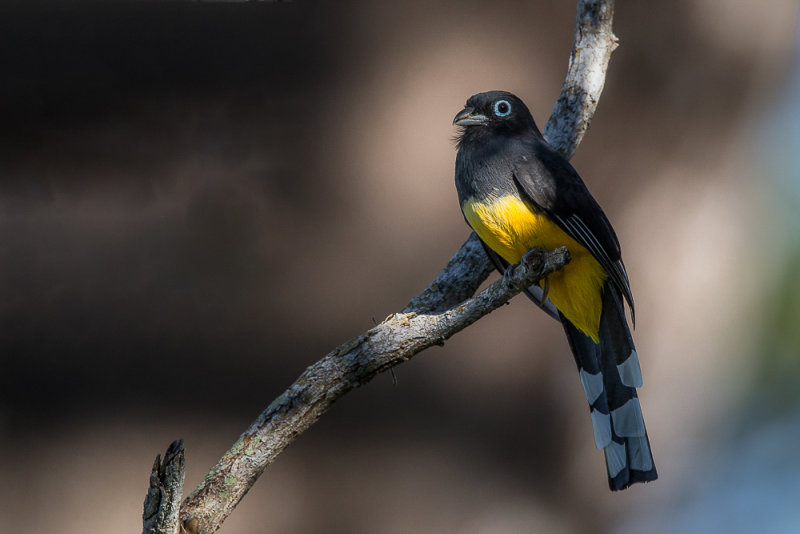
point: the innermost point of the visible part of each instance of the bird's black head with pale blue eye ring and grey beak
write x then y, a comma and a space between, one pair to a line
494, 112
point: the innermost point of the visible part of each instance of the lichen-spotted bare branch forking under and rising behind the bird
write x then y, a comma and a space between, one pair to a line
429, 319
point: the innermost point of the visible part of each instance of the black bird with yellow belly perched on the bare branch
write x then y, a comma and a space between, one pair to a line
518, 193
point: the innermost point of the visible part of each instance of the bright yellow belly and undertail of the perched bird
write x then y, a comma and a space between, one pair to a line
511, 228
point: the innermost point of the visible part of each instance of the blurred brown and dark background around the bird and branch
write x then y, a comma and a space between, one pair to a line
198, 200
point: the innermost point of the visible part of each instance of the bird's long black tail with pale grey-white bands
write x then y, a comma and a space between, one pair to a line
610, 374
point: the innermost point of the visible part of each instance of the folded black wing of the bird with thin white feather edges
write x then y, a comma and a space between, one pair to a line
553, 185
